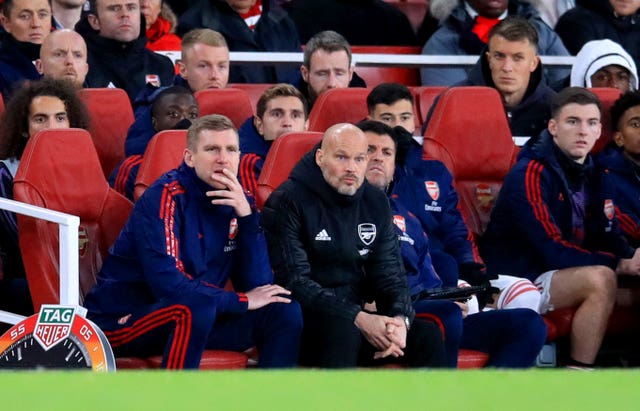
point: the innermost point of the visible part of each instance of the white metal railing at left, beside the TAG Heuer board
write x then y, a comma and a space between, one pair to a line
68, 249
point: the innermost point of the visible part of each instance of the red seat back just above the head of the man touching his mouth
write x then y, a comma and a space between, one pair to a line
231, 102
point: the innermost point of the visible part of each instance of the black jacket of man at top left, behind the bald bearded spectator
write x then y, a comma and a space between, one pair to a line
123, 65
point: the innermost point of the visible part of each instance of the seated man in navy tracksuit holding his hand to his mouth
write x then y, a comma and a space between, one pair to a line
161, 290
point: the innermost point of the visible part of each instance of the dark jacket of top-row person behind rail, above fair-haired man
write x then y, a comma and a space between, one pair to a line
275, 31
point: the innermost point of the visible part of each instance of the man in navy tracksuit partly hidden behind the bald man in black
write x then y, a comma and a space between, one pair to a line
512, 338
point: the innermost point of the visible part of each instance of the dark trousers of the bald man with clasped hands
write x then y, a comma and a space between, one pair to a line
335, 342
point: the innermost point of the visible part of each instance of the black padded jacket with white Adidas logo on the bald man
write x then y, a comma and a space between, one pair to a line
334, 251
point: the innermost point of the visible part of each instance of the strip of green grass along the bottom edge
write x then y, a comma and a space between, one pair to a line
394, 390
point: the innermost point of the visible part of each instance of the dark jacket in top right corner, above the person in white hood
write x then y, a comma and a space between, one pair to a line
595, 20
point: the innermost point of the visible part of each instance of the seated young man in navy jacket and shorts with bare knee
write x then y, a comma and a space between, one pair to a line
555, 223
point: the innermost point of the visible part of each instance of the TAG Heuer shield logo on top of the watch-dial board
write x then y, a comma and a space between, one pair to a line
54, 325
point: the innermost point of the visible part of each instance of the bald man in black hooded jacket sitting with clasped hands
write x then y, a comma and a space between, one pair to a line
332, 244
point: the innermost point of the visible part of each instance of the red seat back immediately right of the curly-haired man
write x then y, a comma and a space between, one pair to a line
111, 116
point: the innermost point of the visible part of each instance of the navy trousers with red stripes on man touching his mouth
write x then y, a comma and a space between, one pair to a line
182, 328
